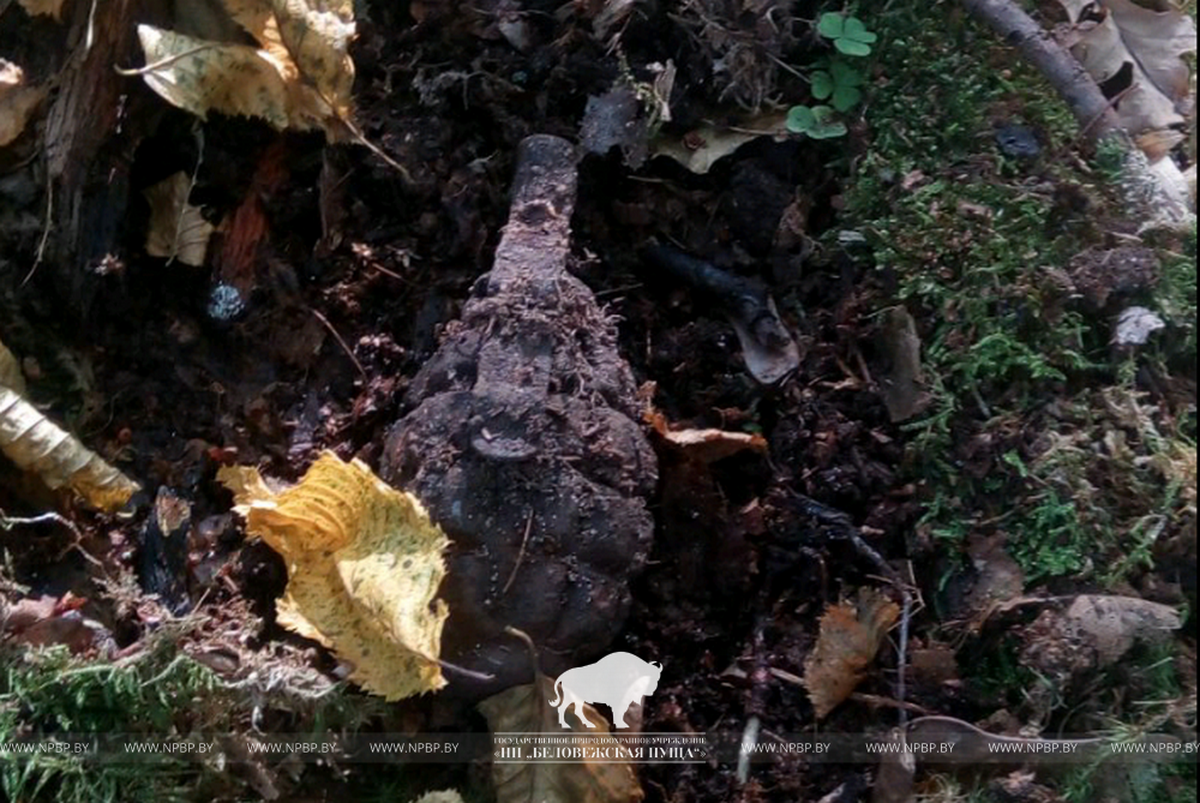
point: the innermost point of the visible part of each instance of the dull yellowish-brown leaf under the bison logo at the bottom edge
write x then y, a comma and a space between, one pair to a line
527, 710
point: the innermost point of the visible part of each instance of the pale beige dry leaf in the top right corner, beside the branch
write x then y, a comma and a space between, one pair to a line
1115, 35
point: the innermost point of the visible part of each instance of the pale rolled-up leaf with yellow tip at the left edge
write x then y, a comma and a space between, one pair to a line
41, 447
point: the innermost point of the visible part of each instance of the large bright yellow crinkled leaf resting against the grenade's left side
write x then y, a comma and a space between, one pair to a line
364, 566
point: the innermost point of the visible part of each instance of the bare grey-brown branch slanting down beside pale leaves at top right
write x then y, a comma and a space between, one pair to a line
1057, 64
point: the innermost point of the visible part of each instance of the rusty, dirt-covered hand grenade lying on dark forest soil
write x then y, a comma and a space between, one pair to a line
523, 442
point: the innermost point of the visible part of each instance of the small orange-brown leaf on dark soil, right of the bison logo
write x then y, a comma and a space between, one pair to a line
851, 636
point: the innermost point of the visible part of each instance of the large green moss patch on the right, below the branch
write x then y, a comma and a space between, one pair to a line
973, 242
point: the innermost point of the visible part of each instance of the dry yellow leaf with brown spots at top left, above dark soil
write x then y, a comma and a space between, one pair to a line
299, 77
